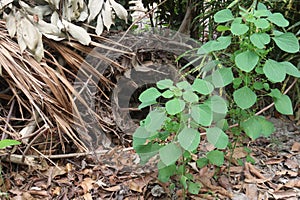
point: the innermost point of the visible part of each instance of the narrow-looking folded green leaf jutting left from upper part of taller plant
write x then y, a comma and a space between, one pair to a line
215, 45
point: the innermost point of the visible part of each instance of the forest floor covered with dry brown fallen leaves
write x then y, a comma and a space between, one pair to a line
272, 174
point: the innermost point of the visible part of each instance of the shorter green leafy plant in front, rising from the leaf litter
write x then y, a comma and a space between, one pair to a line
171, 130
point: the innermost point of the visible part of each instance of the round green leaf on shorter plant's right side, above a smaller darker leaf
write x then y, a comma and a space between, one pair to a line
217, 137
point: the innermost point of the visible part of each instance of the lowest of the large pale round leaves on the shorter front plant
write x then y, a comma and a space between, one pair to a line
170, 153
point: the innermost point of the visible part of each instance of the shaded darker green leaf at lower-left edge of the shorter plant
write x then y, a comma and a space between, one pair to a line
147, 151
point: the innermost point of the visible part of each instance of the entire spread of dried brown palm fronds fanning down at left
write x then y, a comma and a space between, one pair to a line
45, 91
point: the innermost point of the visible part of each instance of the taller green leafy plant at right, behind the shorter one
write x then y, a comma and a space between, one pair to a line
251, 72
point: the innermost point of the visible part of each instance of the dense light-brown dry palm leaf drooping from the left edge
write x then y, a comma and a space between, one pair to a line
38, 88
